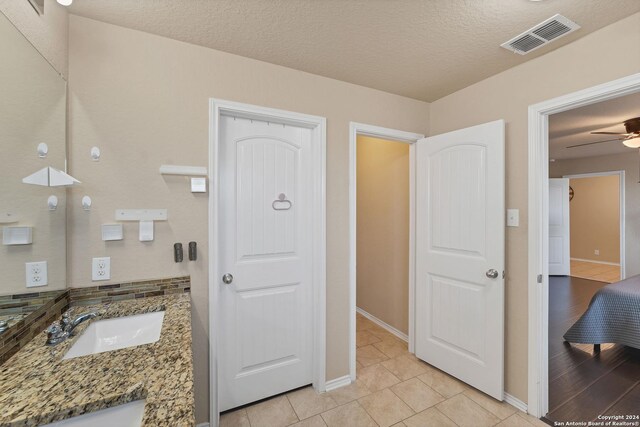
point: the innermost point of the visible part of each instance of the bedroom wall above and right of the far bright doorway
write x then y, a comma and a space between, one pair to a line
629, 164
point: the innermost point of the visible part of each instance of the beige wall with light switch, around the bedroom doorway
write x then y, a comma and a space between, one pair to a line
507, 96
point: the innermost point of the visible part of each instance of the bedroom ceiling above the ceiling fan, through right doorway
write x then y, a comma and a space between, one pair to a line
574, 127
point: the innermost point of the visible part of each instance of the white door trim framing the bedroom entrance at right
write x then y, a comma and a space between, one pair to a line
538, 244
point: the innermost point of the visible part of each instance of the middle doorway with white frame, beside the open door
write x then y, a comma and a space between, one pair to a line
381, 283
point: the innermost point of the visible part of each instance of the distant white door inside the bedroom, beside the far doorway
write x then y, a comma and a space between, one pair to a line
559, 232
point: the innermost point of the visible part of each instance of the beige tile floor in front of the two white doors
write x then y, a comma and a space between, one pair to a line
393, 388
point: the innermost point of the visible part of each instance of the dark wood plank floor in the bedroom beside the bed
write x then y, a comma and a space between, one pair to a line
584, 384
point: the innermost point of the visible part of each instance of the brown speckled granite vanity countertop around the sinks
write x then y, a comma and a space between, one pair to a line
38, 387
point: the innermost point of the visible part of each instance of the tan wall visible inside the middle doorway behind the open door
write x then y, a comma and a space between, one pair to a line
383, 230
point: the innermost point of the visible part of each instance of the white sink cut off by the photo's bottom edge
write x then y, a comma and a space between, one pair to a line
127, 415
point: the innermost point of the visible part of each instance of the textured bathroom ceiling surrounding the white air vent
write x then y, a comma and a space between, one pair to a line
423, 49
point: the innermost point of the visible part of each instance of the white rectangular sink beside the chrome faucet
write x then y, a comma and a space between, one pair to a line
117, 333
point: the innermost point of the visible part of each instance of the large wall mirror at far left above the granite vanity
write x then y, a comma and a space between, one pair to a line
32, 137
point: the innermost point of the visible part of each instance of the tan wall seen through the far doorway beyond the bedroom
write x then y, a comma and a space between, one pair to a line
595, 218
